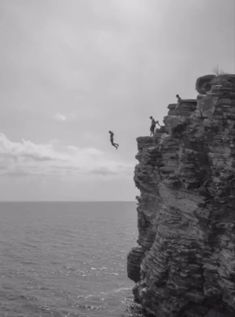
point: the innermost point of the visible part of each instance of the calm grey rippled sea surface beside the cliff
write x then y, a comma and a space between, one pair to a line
66, 259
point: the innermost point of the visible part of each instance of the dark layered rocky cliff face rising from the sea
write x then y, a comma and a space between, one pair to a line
184, 264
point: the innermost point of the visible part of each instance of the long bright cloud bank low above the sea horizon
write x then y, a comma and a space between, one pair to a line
29, 158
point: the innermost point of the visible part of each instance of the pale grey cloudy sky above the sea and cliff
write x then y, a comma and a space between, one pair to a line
71, 70
